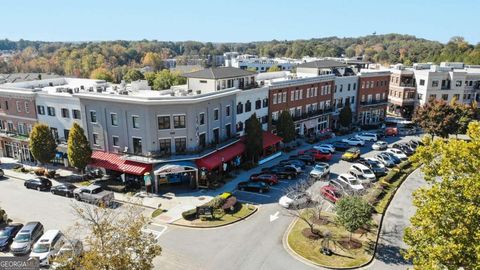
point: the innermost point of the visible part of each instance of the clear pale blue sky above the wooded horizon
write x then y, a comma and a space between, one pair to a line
236, 21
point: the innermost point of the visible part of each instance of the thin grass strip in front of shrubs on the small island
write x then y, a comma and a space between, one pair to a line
244, 212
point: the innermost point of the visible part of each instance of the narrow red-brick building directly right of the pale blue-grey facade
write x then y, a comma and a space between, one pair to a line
372, 96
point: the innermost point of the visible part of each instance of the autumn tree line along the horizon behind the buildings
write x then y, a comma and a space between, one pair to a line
80, 59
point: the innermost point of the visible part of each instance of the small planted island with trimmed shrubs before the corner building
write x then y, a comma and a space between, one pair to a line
222, 210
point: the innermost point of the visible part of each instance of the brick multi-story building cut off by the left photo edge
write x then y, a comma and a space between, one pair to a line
17, 117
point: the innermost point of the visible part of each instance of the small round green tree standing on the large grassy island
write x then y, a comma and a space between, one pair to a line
353, 213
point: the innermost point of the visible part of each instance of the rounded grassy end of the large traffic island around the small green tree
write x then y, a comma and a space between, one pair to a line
330, 245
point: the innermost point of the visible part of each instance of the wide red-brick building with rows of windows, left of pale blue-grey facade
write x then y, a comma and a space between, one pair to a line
308, 100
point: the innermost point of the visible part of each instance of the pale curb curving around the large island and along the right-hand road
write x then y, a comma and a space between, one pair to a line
296, 256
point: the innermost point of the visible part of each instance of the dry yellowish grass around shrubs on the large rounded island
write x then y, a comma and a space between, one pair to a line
342, 257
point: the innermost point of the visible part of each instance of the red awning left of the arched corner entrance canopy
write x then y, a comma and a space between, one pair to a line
115, 163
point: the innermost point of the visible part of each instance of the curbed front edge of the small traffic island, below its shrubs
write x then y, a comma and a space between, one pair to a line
219, 219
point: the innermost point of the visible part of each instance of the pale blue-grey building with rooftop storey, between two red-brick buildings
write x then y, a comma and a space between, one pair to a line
346, 83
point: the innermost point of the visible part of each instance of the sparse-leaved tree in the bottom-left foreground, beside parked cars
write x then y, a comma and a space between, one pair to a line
115, 240
